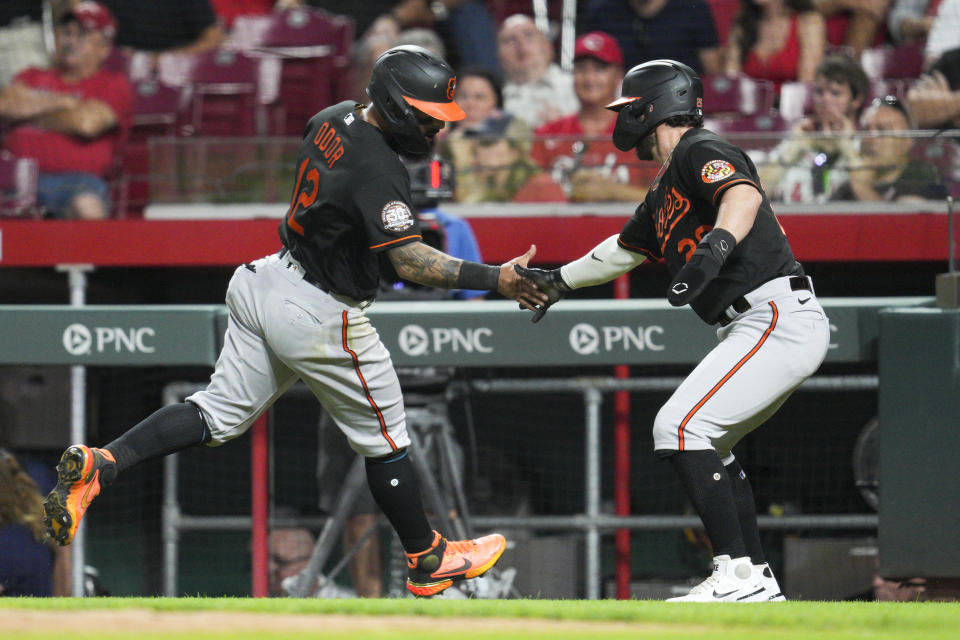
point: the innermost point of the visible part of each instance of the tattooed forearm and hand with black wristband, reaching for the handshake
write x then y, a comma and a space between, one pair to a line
421, 263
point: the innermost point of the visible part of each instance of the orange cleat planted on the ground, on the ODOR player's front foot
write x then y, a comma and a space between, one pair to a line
449, 561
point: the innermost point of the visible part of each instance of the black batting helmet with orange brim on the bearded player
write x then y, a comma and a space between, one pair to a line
408, 77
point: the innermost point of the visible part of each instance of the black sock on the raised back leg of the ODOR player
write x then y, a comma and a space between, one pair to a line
167, 430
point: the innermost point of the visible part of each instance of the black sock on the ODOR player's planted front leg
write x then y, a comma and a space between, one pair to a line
393, 484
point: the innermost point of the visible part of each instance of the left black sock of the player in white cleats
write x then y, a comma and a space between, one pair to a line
708, 487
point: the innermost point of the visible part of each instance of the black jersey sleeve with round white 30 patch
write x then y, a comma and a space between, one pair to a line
387, 217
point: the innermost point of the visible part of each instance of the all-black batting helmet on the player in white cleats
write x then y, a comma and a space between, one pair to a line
651, 93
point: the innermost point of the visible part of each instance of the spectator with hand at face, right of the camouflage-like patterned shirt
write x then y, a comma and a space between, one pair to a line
885, 170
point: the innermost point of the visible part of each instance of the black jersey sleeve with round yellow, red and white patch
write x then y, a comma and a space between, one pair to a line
712, 165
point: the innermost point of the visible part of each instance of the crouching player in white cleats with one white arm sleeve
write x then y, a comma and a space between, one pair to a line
707, 216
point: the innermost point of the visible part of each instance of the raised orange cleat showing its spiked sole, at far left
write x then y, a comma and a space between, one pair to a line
79, 475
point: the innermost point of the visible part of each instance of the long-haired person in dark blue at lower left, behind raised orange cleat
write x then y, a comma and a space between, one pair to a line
28, 566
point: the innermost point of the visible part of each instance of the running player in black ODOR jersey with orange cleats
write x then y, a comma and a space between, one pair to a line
300, 314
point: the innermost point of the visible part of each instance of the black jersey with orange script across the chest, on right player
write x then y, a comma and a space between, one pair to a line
681, 207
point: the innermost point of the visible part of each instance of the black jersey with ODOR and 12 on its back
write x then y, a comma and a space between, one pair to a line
351, 201
